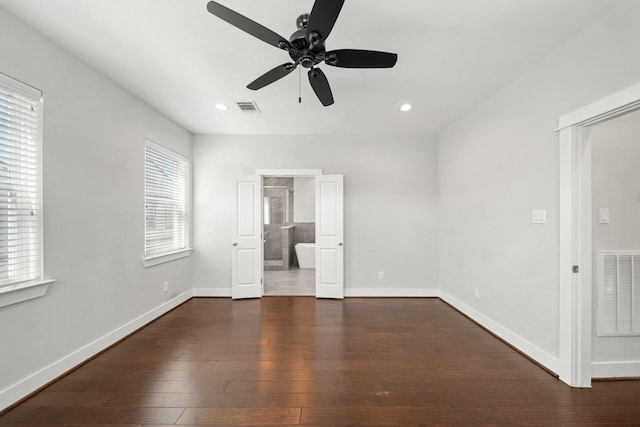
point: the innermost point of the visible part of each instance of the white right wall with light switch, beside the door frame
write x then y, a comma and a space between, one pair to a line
501, 161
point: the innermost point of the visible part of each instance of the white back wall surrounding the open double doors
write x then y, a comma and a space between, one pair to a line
390, 191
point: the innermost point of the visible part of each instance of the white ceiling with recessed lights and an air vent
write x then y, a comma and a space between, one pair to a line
180, 59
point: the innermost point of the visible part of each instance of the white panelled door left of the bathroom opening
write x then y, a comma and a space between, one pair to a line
246, 246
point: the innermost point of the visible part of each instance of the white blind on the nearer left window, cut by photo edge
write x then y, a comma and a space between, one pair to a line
20, 182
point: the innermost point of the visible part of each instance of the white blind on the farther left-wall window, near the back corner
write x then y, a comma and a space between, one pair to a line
165, 201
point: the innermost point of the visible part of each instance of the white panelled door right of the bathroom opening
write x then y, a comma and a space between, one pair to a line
329, 237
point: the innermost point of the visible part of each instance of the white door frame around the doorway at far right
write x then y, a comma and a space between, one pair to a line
575, 287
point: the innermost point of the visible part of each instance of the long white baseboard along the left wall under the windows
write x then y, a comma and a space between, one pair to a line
23, 388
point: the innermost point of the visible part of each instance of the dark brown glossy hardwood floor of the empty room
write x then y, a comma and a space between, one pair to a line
297, 360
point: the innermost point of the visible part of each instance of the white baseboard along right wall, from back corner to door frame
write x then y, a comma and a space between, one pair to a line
542, 357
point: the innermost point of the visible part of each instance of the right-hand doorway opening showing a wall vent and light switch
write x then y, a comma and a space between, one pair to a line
615, 150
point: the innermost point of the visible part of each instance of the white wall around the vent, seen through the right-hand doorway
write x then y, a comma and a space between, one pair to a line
616, 185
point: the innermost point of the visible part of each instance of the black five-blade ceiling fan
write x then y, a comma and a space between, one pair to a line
306, 46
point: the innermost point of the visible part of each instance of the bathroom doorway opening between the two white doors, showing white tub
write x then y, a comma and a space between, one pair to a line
289, 235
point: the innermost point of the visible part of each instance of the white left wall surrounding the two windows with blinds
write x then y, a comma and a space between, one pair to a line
94, 135
